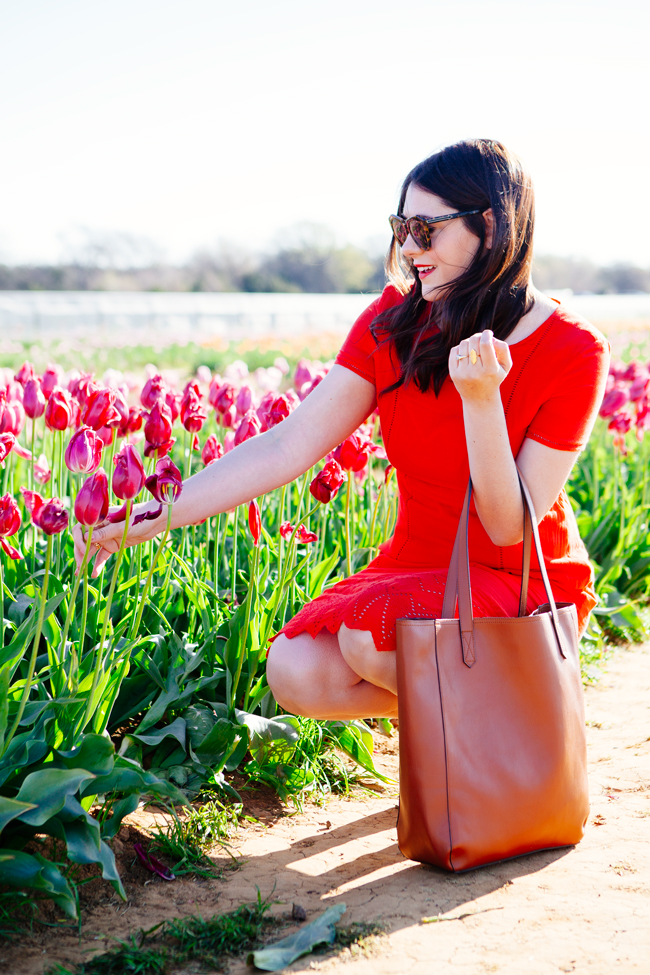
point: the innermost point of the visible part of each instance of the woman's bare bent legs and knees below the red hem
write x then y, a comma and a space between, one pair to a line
310, 676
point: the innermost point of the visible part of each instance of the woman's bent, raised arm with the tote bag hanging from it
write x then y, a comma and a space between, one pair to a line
492, 467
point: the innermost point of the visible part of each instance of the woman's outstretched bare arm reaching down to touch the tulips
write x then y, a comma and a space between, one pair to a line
324, 419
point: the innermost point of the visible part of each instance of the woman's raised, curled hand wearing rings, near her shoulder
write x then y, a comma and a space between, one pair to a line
478, 366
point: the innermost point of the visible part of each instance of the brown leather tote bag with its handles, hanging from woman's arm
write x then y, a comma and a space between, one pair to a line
493, 759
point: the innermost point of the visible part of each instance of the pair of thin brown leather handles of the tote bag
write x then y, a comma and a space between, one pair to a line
458, 577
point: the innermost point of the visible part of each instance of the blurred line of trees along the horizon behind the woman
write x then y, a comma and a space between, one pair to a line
310, 261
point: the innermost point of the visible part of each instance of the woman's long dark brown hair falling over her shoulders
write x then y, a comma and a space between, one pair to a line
493, 292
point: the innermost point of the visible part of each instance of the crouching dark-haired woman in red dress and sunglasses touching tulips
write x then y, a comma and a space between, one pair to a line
474, 372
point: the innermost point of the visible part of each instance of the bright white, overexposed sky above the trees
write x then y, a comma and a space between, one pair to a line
194, 123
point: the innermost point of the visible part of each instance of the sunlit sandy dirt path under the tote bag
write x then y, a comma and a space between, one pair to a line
585, 909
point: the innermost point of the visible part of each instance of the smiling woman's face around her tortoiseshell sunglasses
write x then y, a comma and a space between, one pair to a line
453, 246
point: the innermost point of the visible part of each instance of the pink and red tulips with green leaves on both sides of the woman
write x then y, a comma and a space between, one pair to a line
148, 682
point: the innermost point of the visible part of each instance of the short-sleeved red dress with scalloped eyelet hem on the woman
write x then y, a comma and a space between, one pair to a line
552, 395
